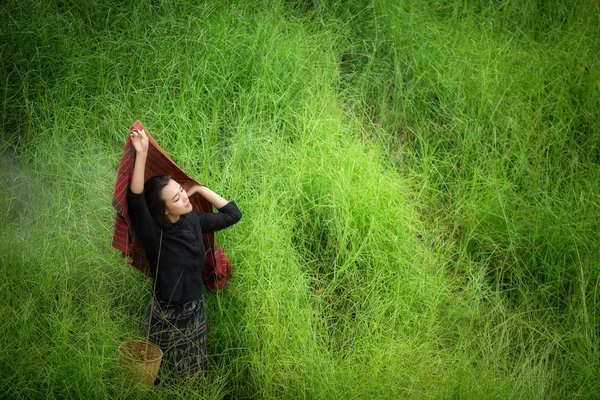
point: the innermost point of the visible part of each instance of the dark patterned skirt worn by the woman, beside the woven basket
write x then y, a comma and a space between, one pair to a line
180, 331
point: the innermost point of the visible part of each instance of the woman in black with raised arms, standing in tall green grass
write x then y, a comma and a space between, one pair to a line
171, 235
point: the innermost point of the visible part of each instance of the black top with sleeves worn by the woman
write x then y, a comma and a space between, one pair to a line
181, 261
